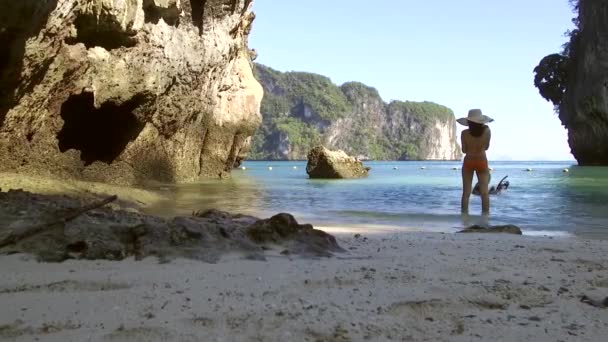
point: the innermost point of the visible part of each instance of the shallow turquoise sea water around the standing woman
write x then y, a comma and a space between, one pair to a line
545, 201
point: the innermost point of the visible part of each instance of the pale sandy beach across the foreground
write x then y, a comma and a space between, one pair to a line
389, 286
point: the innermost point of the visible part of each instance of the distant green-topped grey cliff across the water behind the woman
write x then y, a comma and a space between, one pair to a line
302, 110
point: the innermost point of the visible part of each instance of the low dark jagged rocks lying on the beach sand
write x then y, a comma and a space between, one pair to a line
104, 233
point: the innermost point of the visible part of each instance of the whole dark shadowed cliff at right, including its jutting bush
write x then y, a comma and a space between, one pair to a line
576, 81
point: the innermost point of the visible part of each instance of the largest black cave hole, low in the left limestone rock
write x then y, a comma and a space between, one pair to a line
100, 134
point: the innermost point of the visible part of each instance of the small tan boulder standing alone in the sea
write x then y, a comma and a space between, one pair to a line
323, 163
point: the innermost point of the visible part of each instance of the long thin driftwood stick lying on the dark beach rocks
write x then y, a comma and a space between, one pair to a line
24, 232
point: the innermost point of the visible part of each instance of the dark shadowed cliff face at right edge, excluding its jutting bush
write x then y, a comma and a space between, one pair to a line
584, 108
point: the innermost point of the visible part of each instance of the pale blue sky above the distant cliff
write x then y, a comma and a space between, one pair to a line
462, 54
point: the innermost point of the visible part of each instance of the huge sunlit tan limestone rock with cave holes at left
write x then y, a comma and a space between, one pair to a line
126, 91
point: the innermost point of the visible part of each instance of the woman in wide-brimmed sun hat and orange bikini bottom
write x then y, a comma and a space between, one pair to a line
475, 141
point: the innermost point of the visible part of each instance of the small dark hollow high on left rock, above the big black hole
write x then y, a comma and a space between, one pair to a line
102, 32
